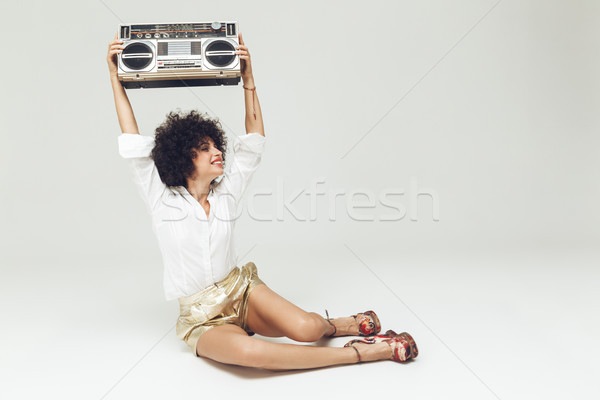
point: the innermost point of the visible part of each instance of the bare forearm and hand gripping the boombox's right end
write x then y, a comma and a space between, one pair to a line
254, 123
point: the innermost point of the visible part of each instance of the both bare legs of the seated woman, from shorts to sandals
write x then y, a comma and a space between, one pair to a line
271, 315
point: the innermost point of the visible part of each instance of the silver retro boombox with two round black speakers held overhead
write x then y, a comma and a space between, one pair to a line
170, 55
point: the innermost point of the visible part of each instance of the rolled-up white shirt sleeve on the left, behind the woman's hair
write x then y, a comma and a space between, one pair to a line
136, 148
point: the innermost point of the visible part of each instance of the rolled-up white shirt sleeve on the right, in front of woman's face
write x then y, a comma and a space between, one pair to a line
248, 150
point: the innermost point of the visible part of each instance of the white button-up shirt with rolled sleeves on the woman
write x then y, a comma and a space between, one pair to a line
197, 250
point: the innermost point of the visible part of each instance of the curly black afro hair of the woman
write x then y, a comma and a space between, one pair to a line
174, 142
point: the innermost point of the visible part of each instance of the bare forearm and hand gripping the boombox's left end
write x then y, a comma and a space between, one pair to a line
124, 111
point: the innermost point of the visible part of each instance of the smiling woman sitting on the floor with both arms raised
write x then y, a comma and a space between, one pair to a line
222, 305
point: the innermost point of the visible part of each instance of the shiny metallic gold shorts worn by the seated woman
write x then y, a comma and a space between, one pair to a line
225, 302
